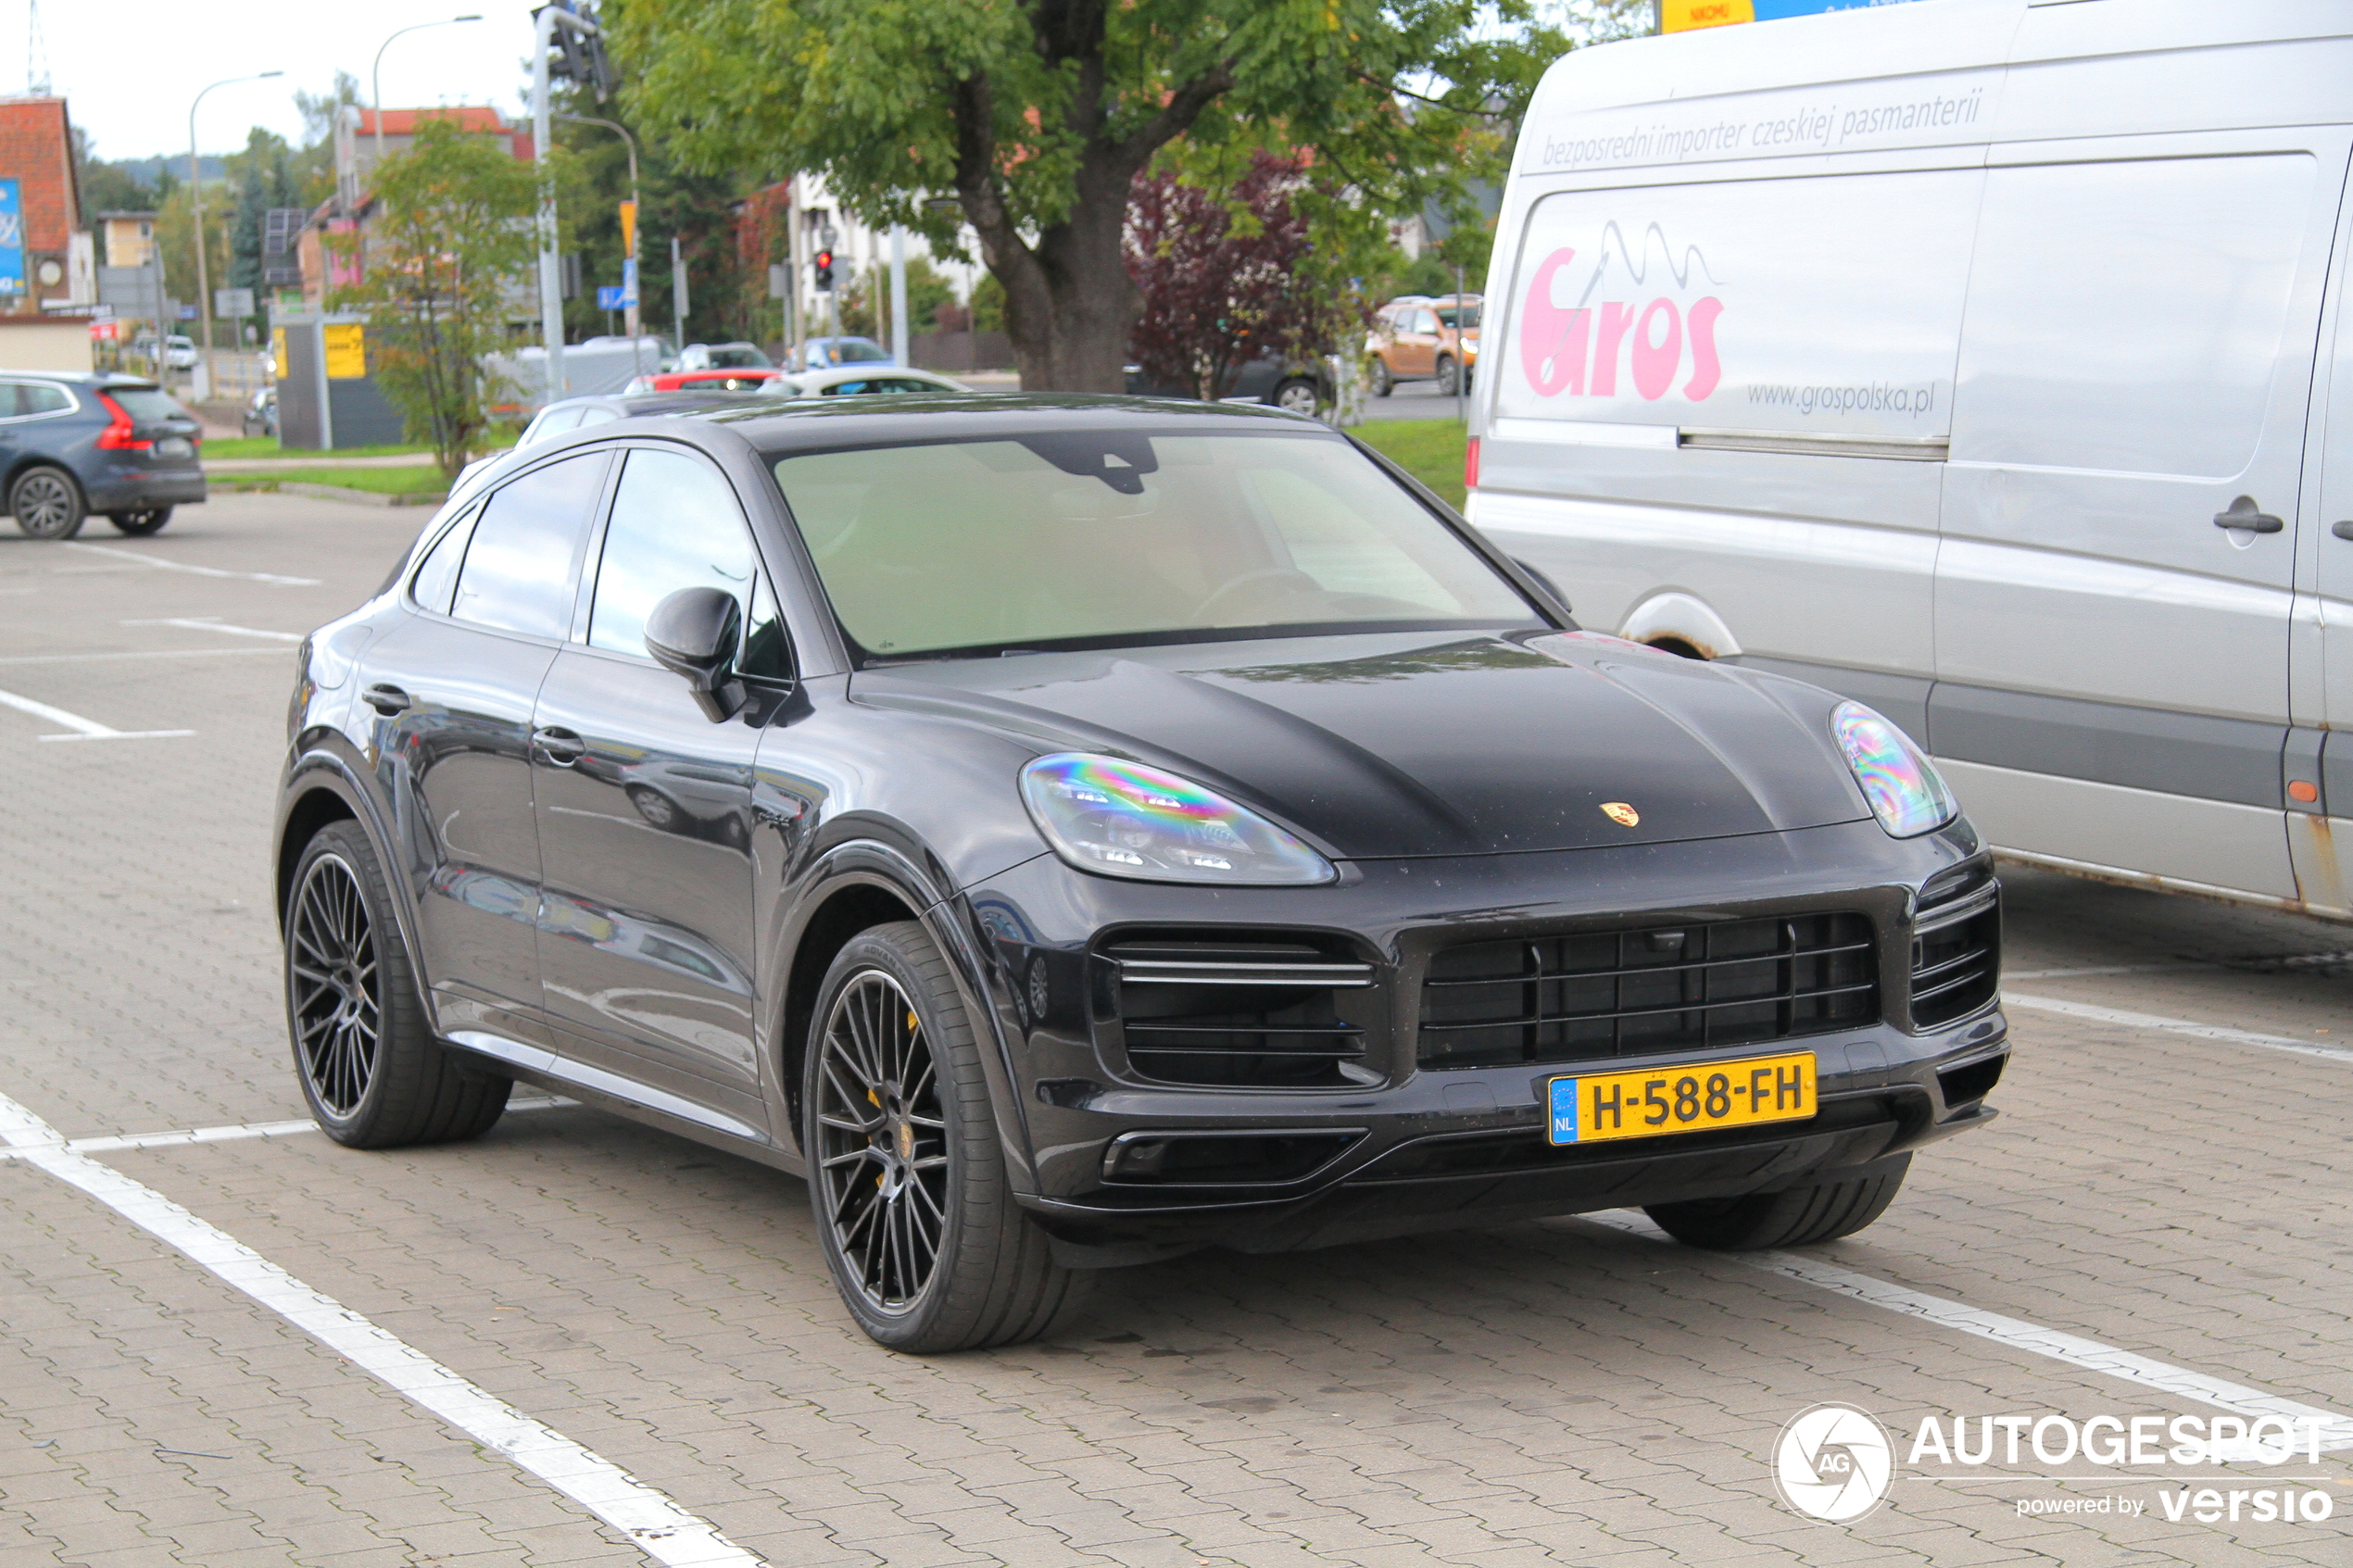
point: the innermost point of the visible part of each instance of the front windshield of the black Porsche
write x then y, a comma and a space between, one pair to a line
1098, 540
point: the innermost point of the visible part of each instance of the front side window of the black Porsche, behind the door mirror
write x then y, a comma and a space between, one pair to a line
674, 525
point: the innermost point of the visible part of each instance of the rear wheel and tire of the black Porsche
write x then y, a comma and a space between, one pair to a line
364, 1052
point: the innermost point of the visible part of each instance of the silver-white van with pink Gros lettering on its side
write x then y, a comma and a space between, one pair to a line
1987, 361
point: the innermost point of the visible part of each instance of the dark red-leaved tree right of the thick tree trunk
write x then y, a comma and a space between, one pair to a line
1220, 293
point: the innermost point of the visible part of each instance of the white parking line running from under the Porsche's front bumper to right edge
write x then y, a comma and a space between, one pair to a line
2018, 1334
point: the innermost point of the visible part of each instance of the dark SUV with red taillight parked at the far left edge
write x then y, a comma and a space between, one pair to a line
76, 443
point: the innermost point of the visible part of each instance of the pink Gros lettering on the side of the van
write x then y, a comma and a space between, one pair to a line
1580, 351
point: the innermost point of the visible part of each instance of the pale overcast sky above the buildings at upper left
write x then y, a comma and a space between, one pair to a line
133, 67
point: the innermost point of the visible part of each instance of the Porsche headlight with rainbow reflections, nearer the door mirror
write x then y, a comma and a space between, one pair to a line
1126, 819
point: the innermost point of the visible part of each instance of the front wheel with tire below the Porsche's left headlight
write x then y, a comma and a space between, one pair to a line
907, 1174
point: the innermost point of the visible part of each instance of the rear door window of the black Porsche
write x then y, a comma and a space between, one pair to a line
526, 549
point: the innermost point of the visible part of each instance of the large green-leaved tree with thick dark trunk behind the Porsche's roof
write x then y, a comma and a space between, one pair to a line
1032, 119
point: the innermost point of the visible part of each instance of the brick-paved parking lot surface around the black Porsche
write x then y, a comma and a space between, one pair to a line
2159, 1226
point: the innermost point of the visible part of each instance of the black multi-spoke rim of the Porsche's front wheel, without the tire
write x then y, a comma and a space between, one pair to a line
881, 1141
